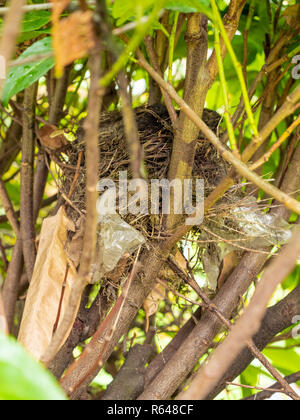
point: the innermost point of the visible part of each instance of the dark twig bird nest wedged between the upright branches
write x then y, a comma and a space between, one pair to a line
156, 137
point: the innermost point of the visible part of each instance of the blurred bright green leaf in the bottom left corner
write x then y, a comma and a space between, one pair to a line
22, 378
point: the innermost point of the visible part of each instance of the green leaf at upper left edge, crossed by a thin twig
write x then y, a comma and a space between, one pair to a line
20, 77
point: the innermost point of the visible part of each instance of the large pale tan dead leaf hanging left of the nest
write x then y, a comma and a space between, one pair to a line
43, 301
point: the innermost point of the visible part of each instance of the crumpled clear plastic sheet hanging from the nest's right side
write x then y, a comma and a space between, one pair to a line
245, 227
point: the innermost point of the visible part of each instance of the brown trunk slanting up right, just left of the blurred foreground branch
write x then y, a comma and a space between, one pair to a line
198, 342
